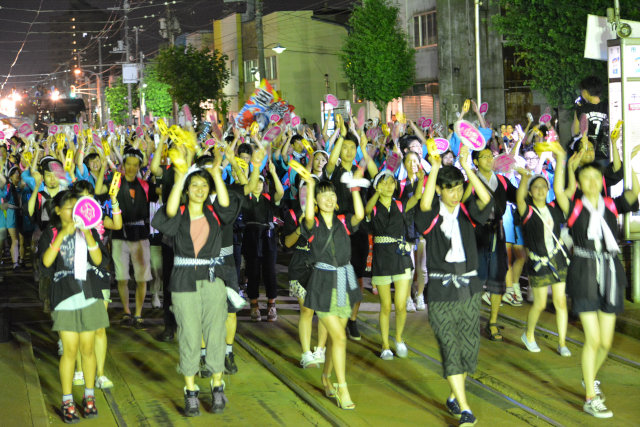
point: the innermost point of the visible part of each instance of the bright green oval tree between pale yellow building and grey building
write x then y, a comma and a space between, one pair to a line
376, 55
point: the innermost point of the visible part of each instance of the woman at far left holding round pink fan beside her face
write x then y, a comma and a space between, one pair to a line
74, 257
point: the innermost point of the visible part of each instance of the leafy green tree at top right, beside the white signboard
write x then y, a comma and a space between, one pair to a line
548, 37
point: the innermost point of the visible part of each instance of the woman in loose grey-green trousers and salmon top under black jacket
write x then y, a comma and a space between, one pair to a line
199, 297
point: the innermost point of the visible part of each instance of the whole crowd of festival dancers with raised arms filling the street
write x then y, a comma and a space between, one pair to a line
447, 228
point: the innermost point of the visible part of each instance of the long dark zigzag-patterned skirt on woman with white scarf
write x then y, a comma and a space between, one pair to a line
456, 325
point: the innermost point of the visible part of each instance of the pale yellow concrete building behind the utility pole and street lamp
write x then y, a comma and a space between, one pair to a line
303, 74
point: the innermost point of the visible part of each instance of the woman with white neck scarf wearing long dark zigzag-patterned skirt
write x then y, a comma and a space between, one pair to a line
453, 294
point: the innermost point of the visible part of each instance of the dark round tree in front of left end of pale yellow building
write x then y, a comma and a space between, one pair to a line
193, 75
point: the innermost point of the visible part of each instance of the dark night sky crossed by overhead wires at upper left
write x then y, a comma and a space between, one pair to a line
37, 34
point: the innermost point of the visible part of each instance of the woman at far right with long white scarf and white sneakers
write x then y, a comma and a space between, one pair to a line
595, 278
